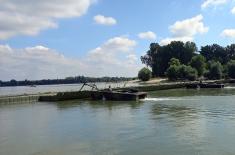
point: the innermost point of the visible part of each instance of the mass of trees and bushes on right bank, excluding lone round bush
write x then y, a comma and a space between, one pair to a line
179, 60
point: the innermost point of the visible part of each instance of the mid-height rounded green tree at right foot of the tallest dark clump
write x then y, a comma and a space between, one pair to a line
198, 62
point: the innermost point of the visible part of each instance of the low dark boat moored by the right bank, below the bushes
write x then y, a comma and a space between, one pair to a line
204, 85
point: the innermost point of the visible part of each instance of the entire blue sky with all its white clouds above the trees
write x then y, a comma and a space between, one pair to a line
56, 39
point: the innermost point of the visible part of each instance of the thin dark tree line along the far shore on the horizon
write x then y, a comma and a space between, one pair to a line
68, 80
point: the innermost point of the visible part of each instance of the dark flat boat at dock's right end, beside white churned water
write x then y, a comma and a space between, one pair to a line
127, 95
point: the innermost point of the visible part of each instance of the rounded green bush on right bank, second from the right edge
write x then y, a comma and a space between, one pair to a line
215, 70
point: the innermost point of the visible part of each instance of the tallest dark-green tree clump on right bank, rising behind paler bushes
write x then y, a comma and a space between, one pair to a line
158, 57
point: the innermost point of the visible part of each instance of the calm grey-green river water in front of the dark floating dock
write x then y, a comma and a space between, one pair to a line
170, 122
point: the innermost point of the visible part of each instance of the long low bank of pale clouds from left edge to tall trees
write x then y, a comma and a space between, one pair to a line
115, 57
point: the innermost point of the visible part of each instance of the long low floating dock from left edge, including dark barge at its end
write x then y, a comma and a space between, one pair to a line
63, 96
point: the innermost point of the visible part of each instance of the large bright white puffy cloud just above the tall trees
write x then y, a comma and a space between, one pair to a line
185, 30
